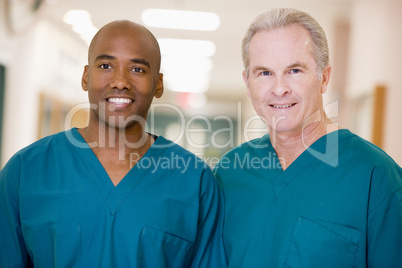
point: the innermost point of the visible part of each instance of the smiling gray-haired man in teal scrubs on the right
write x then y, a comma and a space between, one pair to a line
333, 199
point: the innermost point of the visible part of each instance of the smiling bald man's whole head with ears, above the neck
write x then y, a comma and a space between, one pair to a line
122, 75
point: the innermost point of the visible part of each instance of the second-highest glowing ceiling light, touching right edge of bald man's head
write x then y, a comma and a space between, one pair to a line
186, 47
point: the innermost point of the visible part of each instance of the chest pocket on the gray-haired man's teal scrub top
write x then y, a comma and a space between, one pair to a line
318, 243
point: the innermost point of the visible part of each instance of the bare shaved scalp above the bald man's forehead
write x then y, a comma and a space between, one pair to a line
125, 28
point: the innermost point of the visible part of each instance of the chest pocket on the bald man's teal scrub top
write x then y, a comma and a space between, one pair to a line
160, 249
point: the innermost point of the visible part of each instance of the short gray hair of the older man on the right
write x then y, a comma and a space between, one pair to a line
283, 17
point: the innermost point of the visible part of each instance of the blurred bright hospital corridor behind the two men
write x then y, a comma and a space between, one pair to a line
205, 108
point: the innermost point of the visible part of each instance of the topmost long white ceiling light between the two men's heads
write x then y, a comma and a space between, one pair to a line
181, 19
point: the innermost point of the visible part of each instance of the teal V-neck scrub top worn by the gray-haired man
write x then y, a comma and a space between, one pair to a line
339, 204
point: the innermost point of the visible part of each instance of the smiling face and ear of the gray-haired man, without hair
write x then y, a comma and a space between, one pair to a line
283, 82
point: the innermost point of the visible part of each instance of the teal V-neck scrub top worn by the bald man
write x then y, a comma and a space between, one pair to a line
59, 208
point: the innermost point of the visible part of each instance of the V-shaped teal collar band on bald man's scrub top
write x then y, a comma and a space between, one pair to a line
115, 195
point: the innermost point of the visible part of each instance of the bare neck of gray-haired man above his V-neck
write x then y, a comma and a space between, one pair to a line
290, 145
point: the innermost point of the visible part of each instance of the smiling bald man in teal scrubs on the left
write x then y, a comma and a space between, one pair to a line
111, 194
